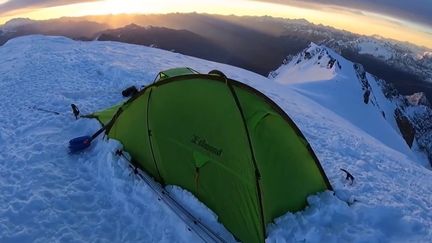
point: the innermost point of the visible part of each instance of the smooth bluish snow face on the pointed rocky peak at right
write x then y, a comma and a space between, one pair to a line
339, 90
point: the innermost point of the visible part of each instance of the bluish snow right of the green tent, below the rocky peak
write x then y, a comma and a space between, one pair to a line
391, 193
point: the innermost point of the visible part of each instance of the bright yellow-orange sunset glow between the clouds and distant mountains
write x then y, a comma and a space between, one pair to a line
364, 23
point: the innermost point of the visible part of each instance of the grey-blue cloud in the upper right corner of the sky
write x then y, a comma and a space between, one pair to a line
418, 11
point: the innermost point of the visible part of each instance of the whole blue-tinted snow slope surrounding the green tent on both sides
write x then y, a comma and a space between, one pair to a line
48, 195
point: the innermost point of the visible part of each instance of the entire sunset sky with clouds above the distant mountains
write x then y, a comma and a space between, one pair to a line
404, 20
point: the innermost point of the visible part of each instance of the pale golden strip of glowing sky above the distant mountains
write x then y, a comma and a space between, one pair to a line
358, 21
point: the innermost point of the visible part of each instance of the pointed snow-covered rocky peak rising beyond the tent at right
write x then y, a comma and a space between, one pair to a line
368, 102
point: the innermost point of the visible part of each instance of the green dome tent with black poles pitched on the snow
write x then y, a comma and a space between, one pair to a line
225, 142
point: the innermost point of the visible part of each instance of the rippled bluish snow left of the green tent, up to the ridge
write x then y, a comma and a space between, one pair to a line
48, 195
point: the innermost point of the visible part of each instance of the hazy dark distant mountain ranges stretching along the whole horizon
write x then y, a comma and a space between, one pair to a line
258, 44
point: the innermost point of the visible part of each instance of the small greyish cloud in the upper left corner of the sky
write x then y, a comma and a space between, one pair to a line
20, 5
